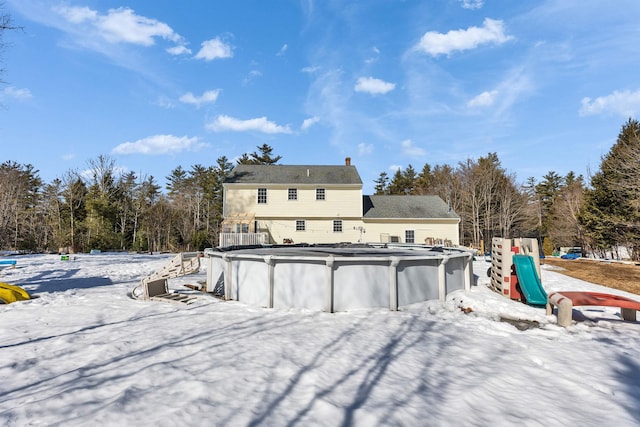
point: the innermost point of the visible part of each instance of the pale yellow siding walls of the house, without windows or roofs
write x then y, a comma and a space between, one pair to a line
278, 216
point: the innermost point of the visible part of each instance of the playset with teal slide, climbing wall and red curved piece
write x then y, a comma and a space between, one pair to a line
515, 273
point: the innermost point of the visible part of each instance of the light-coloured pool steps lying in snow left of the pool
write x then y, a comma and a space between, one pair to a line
156, 287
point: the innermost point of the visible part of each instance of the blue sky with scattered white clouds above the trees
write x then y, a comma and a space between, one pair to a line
157, 84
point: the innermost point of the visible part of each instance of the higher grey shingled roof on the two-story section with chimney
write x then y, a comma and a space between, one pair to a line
294, 174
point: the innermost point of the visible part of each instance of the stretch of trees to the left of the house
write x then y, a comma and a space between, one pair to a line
101, 209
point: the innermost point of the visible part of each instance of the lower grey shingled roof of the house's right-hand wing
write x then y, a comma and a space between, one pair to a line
409, 207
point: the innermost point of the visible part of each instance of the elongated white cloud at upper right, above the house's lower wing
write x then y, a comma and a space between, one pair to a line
434, 43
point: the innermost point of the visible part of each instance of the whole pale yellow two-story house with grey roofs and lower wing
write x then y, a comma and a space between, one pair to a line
268, 204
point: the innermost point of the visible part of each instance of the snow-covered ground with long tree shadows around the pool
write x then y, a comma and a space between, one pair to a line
85, 353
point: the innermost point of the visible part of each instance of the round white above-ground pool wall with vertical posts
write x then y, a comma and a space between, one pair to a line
337, 280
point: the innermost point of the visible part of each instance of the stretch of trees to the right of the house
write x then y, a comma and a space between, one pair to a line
602, 217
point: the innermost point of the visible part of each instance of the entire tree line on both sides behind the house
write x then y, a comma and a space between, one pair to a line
107, 211
